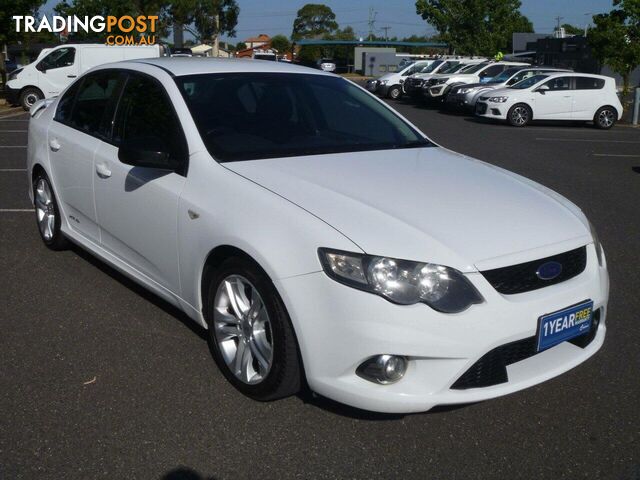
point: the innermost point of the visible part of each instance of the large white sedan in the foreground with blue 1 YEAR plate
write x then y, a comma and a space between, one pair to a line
317, 234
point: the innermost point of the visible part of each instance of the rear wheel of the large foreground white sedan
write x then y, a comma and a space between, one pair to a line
47, 213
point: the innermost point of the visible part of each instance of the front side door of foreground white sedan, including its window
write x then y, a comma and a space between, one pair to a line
137, 206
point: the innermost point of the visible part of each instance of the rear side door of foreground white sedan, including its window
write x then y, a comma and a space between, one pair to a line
82, 118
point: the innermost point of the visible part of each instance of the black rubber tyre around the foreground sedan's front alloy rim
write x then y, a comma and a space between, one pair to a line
285, 375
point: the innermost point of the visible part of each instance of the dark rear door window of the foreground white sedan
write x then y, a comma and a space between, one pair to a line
93, 109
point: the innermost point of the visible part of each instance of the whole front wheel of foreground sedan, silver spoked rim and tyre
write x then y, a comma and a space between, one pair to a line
250, 333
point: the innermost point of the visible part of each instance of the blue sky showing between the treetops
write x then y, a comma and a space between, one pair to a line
276, 16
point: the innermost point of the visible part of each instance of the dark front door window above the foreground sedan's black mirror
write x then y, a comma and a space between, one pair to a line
146, 118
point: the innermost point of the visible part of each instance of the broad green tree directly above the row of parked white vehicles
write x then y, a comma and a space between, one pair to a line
475, 27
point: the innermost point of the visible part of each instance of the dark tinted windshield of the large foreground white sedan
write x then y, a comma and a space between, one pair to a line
249, 116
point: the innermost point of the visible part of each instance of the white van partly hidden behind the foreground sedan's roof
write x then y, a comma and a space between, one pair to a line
50, 74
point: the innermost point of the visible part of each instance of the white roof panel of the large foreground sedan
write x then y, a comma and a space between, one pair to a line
180, 66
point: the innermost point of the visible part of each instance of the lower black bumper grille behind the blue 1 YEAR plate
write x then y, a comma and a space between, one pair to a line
491, 369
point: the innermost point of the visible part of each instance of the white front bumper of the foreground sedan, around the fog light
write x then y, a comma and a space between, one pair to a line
339, 327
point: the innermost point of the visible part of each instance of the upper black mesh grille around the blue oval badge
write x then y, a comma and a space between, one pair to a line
523, 277
